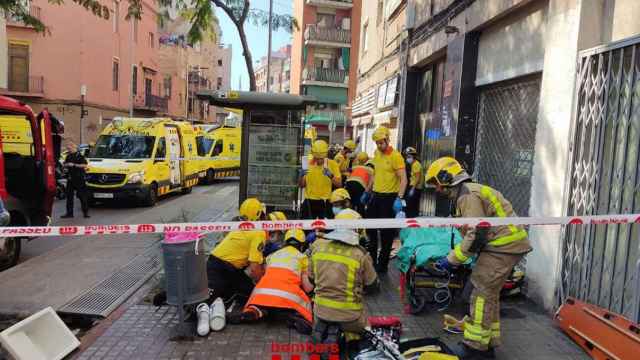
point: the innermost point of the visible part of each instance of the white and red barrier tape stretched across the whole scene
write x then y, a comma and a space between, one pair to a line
212, 227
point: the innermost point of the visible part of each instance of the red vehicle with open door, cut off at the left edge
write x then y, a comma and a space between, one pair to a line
27, 172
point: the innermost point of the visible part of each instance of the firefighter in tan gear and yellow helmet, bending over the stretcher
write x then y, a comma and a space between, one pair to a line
498, 248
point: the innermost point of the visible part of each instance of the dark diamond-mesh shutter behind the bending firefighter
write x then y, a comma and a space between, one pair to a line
508, 116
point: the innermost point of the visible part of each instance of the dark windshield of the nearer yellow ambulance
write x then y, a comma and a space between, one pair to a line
123, 147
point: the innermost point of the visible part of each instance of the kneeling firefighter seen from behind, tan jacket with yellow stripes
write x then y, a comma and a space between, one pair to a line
341, 270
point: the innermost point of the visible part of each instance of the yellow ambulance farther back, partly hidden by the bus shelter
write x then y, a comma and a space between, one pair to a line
219, 151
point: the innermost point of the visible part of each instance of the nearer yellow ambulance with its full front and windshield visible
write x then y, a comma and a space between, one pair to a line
142, 159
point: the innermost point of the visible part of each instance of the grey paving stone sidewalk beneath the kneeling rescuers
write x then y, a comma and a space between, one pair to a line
148, 332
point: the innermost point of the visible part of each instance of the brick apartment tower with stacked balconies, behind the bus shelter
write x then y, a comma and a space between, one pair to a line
324, 61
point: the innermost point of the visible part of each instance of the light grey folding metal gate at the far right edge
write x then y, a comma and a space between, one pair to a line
599, 262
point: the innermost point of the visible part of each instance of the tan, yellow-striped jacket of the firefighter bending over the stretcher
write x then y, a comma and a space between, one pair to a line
477, 200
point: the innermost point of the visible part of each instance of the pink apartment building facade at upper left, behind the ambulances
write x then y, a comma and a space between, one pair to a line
91, 55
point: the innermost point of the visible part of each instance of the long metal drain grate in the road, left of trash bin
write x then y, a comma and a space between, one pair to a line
102, 299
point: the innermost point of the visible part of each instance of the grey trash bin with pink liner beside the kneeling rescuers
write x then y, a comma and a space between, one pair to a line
185, 270
